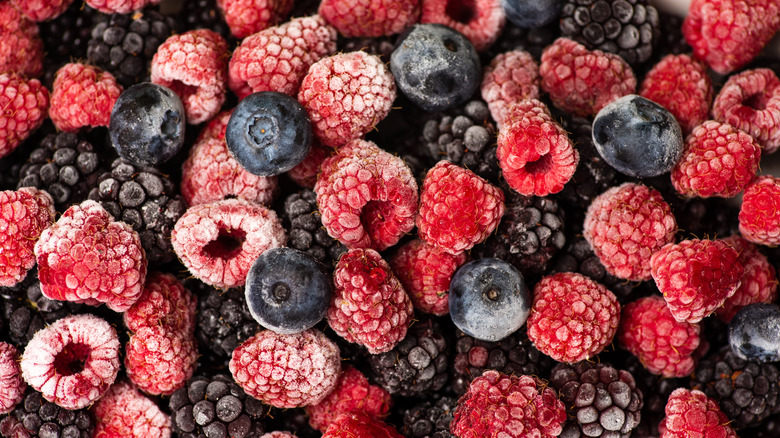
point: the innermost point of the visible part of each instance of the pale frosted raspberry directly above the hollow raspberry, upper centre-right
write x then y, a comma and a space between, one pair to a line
511, 77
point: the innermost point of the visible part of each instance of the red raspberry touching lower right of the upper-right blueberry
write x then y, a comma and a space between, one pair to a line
717, 160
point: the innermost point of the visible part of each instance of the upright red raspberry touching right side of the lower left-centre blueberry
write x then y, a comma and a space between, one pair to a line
368, 306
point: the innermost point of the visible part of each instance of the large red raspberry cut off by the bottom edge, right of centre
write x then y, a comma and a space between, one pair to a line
508, 406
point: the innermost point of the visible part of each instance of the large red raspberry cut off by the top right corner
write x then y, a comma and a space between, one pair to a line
727, 34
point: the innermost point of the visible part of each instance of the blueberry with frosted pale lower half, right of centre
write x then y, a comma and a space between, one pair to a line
489, 299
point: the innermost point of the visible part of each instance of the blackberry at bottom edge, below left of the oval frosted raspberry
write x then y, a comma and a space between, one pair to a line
216, 407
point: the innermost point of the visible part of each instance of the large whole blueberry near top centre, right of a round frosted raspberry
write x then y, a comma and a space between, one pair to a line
435, 66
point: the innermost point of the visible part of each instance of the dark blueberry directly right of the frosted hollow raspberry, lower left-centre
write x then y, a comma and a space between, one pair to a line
287, 291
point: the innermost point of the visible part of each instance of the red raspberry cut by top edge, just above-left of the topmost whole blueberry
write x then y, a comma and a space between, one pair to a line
370, 18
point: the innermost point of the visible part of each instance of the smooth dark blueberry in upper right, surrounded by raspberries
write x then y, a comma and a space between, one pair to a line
638, 137
